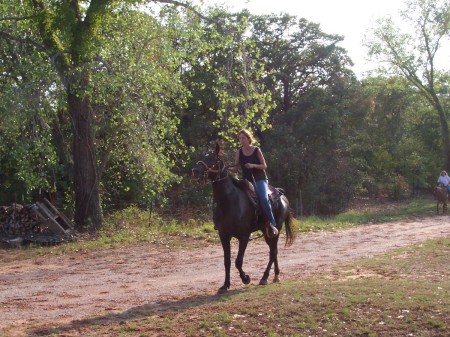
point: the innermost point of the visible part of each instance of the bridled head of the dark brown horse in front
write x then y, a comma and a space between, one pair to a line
210, 166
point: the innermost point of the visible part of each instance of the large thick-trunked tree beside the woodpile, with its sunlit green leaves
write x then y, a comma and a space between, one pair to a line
118, 89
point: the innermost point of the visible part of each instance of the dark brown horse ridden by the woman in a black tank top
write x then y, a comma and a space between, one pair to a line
235, 216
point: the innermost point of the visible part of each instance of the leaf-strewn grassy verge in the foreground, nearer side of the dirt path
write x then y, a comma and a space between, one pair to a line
403, 293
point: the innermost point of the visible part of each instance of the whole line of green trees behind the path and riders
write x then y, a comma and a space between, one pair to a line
108, 104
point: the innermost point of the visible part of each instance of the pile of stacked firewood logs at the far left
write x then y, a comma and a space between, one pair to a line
19, 220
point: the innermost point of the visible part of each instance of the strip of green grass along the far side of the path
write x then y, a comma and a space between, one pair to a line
133, 224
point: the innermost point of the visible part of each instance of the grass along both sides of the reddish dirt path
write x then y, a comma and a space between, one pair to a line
403, 293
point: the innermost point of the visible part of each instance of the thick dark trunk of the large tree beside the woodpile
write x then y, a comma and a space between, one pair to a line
86, 184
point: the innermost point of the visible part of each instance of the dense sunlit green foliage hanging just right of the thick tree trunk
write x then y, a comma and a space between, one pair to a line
136, 93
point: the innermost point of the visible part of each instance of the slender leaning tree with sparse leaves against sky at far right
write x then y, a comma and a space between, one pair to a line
414, 56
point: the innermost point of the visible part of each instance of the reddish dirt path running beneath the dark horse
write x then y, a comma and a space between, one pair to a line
62, 289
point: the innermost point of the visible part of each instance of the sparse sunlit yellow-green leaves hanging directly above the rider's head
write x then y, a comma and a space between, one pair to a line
225, 77
